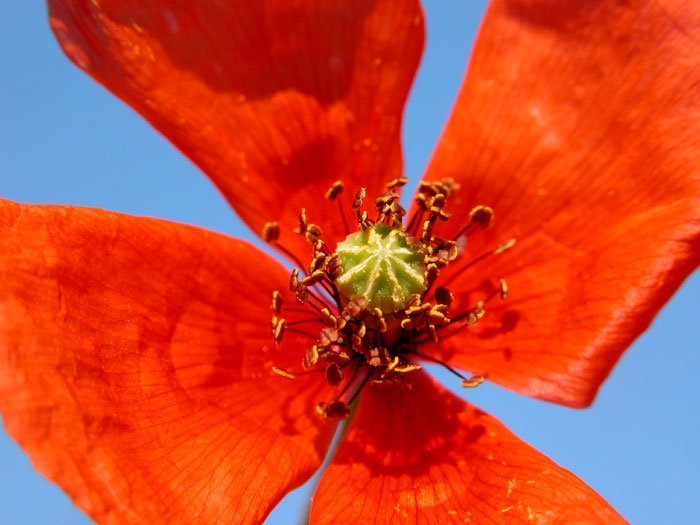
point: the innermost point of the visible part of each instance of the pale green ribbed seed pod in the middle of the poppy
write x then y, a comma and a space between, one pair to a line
382, 265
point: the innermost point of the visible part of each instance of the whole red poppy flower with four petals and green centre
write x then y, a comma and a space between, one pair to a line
136, 362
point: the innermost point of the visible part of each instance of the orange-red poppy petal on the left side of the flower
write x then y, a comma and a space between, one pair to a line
135, 368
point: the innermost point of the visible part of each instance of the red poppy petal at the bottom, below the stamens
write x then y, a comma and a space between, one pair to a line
422, 455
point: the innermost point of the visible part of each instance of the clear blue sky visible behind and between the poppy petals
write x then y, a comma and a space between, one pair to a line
64, 139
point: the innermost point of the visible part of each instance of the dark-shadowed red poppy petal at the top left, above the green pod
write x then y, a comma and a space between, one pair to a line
273, 100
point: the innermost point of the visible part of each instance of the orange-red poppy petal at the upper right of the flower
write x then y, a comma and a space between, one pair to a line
578, 123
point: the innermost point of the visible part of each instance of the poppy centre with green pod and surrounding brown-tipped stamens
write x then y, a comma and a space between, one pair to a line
371, 303
